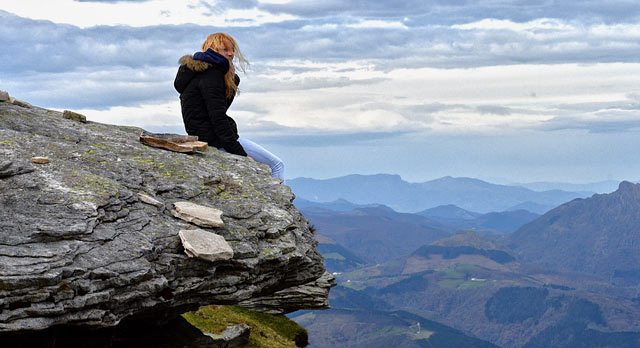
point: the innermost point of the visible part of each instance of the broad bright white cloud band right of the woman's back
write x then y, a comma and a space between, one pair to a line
479, 100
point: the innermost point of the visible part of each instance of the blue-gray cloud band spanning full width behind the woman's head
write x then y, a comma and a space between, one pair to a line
57, 47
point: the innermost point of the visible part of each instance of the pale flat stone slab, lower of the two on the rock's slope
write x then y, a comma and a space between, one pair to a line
205, 245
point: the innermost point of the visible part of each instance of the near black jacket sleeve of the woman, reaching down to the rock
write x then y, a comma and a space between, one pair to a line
213, 92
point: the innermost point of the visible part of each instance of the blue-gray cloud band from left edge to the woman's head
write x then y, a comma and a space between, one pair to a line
43, 46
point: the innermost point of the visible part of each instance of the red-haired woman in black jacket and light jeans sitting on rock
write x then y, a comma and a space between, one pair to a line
207, 84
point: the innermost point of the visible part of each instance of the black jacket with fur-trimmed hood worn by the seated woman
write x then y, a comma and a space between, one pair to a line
204, 102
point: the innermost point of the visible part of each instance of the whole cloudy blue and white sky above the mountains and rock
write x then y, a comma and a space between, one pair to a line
501, 90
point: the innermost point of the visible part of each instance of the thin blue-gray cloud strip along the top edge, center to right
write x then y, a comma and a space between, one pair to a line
429, 12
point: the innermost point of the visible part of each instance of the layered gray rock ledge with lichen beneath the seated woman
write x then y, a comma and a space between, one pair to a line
78, 246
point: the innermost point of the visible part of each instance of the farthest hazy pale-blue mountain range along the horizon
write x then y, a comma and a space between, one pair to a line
467, 193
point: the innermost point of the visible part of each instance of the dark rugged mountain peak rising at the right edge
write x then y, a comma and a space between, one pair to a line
597, 235
